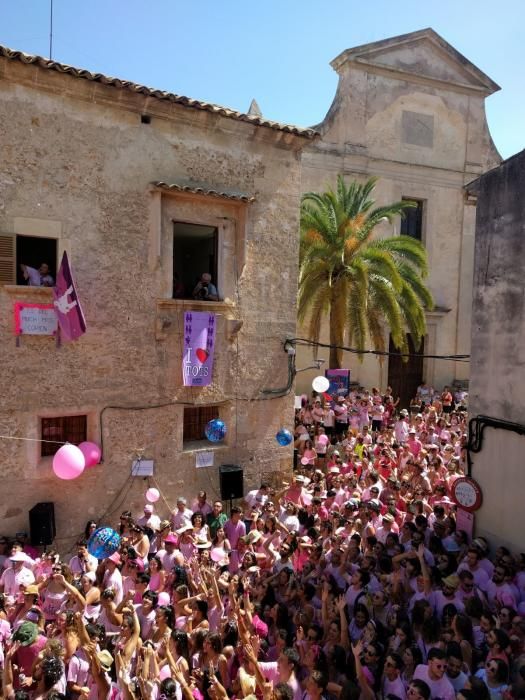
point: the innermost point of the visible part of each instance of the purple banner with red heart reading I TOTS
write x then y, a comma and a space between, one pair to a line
199, 344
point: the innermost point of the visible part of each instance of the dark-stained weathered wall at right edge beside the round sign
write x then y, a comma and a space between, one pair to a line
498, 354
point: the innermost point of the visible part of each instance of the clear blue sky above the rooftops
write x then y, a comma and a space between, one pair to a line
278, 51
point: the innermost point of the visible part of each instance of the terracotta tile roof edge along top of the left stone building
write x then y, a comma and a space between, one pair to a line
151, 92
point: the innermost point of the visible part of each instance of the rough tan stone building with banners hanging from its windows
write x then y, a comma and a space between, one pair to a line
136, 184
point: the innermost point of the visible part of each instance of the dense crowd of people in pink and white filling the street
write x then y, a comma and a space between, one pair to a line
352, 581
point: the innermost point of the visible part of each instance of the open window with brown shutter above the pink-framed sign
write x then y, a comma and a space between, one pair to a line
34, 251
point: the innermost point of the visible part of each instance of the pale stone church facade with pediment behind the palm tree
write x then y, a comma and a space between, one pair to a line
411, 111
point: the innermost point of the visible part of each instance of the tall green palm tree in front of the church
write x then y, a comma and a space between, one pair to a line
358, 281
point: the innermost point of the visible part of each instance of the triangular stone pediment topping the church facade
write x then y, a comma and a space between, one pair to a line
419, 55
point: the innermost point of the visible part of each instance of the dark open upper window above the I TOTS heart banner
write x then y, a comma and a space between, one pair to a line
195, 251
